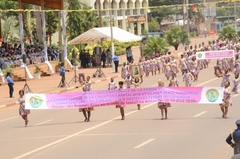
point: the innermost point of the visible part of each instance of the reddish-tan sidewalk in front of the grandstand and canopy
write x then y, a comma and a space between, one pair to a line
49, 84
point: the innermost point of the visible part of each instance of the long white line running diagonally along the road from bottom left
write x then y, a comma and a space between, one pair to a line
73, 135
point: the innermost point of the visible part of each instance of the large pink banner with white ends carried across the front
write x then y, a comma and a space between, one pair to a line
188, 95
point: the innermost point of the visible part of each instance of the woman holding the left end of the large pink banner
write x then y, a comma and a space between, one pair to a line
22, 111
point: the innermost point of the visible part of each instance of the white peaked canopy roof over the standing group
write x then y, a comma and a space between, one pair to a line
95, 34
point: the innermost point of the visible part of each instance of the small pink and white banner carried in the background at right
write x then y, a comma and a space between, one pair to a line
215, 54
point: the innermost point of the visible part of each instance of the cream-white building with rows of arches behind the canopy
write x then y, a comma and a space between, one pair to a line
130, 15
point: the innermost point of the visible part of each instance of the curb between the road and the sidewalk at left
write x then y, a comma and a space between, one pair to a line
63, 90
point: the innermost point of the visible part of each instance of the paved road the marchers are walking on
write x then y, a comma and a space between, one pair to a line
192, 131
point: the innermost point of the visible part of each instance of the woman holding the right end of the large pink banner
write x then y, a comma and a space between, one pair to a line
226, 99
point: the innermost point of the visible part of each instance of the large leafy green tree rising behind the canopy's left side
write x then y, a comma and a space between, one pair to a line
79, 22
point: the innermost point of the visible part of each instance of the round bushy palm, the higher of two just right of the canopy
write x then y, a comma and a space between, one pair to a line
176, 36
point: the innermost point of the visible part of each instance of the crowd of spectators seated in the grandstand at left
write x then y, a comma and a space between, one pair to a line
11, 54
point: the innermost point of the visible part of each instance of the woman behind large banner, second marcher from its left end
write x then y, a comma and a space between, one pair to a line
87, 111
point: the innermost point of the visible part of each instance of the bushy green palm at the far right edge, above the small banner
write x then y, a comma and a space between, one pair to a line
228, 33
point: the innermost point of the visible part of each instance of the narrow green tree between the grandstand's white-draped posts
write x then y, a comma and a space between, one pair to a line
51, 24
